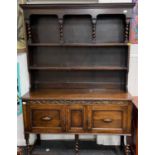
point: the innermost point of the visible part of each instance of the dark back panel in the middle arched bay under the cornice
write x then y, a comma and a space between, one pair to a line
77, 29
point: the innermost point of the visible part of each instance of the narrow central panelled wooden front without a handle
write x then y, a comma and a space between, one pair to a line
76, 118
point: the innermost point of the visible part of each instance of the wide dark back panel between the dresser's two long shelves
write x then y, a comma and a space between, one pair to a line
79, 56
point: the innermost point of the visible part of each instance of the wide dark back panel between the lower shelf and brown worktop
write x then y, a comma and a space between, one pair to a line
79, 79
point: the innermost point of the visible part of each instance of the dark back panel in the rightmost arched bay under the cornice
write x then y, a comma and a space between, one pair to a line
110, 28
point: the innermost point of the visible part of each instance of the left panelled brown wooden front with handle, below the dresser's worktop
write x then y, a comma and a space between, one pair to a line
47, 118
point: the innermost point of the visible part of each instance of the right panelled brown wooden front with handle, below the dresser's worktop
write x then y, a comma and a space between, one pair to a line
109, 118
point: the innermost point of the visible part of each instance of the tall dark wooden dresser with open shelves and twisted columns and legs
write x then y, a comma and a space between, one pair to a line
78, 61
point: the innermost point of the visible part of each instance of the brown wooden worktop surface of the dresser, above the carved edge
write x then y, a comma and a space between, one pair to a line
76, 94
